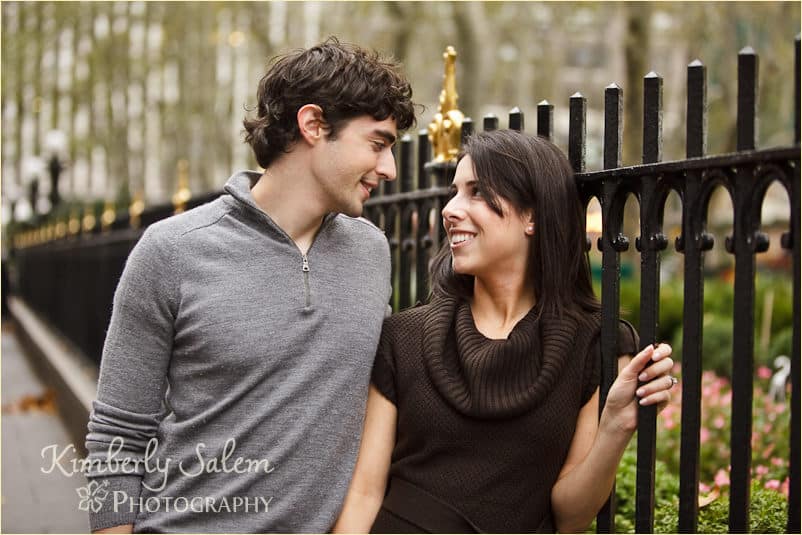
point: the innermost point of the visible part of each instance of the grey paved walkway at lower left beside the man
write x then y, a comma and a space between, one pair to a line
34, 501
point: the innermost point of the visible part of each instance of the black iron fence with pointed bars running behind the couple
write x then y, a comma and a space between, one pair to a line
71, 281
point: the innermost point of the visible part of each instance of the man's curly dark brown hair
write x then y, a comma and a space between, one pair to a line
345, 80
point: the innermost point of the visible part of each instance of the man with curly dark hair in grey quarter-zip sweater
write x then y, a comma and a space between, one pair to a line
236, 366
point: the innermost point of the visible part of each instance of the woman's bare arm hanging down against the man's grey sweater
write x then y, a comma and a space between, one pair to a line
366, 492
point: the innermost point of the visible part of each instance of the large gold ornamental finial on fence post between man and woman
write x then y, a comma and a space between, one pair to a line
446, 127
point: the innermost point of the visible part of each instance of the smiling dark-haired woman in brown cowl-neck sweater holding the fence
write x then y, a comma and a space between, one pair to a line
483, 412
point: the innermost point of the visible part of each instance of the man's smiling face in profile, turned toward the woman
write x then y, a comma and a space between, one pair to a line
354, 163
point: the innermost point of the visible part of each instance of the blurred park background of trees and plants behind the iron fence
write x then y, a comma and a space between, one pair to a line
106, 105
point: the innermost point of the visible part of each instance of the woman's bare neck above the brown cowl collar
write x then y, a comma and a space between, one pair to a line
498, 306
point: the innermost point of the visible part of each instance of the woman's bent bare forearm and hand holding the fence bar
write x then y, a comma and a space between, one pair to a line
587, 476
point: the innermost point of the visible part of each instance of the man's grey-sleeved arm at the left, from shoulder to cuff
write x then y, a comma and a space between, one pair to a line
133, 372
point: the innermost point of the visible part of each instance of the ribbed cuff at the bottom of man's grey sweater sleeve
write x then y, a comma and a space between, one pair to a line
125, 513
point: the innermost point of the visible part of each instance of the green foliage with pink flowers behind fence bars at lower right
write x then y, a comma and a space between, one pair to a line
770, 455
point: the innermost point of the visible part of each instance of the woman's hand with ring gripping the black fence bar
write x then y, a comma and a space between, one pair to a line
645, 381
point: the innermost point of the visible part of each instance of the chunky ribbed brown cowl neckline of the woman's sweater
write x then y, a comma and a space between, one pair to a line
492, 379
